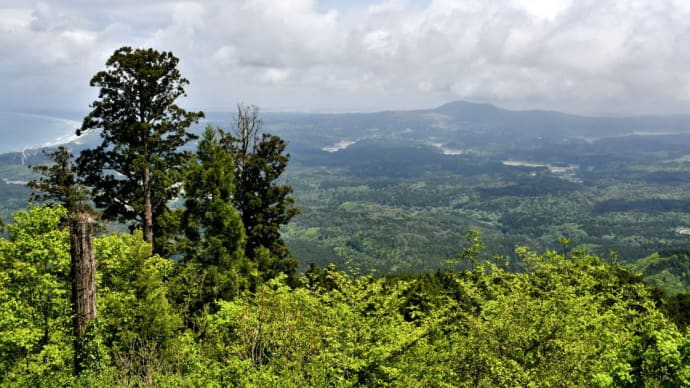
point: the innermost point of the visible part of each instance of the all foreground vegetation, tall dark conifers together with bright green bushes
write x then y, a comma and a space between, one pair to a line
180, 277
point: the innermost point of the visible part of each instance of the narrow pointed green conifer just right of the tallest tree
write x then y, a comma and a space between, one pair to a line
214, 234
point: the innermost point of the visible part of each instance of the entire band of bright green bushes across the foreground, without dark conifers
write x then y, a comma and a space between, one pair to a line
566, 321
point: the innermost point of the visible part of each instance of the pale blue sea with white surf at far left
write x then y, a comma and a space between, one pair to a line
20, 131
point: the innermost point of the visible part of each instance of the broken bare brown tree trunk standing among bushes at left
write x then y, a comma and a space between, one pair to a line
83, 281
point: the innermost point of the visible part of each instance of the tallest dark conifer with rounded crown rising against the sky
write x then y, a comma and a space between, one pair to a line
134, 170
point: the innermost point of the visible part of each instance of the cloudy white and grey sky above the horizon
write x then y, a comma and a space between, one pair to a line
593, 57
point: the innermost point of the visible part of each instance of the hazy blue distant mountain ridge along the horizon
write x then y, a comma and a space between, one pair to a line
452, 128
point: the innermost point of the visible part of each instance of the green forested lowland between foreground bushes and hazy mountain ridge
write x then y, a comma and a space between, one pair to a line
397, 207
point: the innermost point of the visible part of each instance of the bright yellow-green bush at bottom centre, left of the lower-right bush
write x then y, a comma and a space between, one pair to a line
351, 335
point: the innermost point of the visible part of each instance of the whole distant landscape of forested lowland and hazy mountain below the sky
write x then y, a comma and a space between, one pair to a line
396, 191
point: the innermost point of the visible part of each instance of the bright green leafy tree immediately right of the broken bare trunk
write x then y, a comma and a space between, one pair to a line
138, 322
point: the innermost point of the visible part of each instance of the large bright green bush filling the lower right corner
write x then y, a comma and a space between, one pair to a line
572, 322
